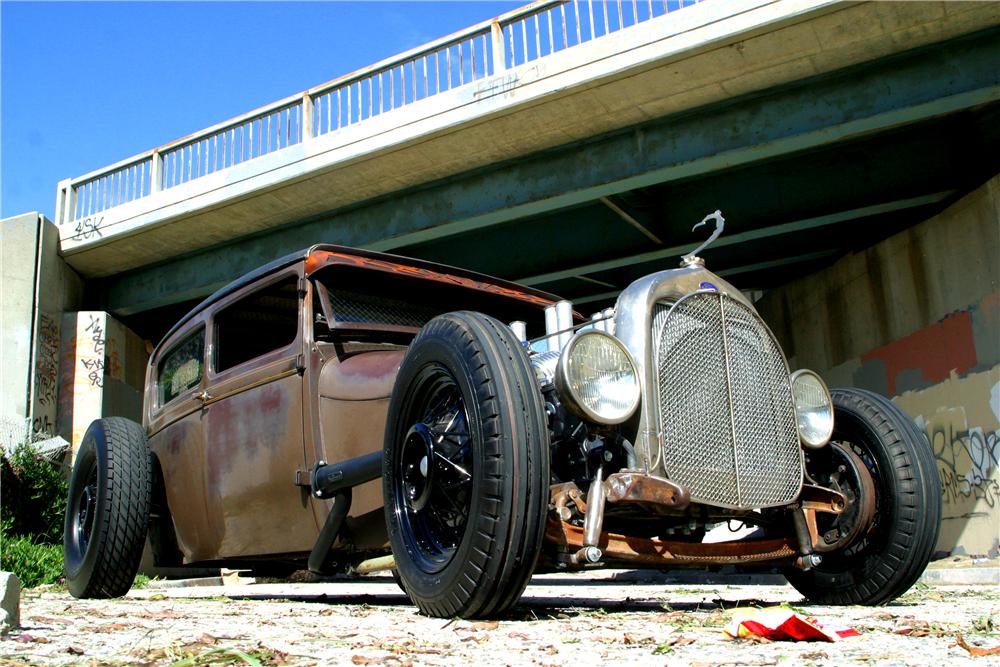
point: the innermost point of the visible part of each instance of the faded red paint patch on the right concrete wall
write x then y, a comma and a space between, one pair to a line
933, 352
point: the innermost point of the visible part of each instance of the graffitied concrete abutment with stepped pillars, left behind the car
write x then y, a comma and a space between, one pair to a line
59, 368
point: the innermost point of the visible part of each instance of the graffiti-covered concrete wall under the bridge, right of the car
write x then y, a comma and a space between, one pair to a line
917, 318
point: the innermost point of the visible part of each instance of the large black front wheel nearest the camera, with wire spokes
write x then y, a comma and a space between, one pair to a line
465, 398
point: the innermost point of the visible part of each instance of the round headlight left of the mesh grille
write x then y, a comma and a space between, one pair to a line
596, 378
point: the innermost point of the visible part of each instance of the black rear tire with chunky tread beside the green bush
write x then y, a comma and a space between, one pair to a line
107, 514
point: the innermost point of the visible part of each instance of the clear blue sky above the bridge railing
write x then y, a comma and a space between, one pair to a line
86, 84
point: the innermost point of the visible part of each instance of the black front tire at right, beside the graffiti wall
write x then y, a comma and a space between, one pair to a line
888, 556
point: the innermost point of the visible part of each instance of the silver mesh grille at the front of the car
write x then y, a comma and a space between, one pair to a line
726, 418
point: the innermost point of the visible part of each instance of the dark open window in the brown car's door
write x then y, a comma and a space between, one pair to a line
264, 321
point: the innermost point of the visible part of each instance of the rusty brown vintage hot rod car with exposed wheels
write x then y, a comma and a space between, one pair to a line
337, 403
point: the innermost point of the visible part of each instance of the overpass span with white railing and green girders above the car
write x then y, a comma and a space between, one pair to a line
571, 146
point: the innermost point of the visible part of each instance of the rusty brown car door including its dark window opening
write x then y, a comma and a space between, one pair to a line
252, 418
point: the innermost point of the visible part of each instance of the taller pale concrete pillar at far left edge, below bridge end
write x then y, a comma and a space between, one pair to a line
36, 287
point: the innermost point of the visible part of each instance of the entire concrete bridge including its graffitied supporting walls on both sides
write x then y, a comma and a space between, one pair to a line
571, 145
